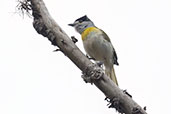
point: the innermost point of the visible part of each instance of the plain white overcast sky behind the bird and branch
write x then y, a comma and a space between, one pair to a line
36, 80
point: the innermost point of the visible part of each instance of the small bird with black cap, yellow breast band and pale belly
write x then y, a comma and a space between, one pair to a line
97, 44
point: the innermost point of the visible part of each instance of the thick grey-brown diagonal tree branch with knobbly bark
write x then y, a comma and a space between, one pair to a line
46, 26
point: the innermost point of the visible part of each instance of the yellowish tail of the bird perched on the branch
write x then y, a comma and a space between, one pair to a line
111, 73
